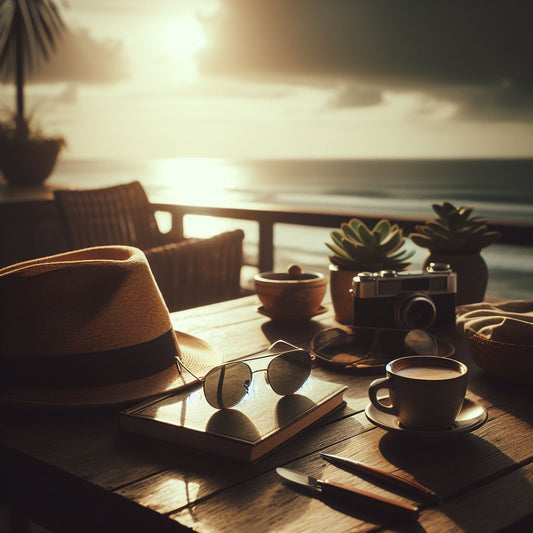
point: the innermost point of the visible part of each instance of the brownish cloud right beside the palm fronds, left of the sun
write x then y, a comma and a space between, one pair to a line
79, 58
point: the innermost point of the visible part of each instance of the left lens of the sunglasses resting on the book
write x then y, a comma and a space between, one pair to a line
226, 385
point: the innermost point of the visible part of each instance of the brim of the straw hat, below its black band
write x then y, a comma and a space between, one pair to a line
196, 355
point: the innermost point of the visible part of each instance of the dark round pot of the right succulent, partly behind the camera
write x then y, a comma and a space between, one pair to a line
472, 274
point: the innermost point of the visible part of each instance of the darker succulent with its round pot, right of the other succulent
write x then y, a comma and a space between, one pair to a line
457, 238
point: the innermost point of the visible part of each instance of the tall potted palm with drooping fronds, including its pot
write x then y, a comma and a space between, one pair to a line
29, 30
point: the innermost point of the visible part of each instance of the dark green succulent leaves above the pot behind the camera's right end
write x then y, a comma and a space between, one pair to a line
454, 230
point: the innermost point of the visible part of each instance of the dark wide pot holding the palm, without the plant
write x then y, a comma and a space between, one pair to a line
28, 161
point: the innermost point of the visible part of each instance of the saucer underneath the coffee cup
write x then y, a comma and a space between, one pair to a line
472, 416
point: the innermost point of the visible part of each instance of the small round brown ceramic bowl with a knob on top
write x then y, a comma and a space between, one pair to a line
291, 295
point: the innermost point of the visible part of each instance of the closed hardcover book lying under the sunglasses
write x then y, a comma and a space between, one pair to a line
260, 423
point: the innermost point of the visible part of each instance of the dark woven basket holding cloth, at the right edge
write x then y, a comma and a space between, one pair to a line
513, 362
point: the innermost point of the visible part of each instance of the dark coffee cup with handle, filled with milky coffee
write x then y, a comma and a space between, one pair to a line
426, 392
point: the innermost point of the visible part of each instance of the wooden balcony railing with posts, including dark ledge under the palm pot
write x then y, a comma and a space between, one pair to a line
31, 228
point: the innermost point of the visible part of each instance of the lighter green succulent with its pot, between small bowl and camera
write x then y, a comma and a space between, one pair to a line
357, 248
